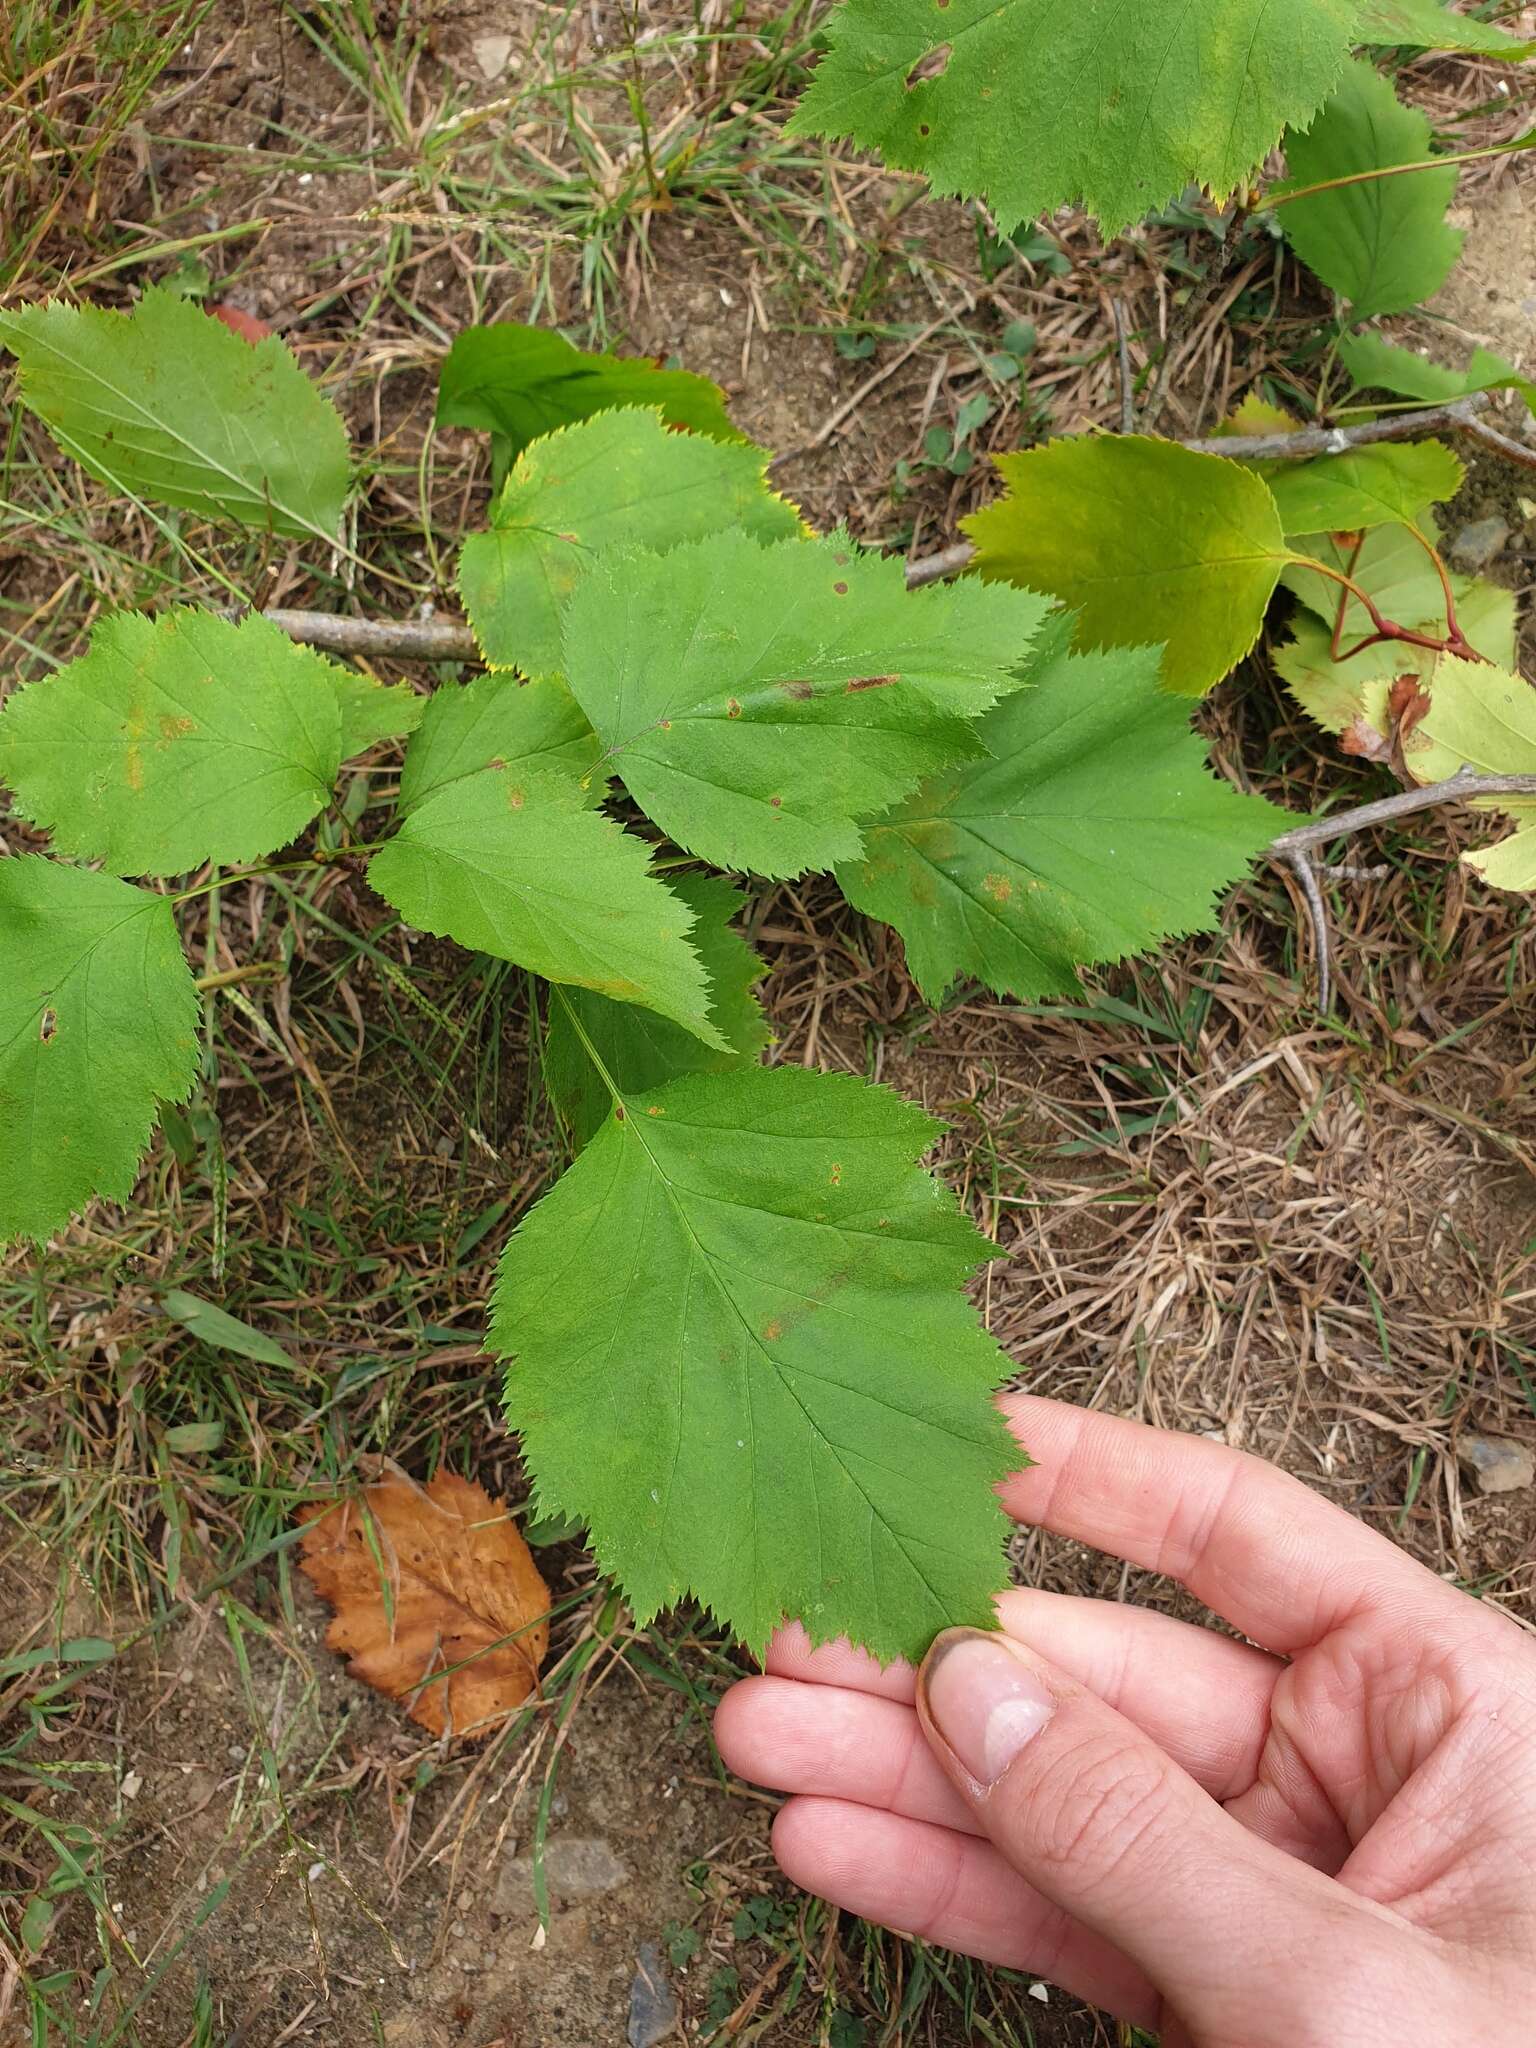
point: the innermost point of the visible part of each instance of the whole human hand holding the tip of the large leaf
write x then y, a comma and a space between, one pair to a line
1330, 1840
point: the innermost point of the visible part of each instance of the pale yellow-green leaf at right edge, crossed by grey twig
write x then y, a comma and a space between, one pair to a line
1482, 718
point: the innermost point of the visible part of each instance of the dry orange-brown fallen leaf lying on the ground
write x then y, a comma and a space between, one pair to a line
460, 1580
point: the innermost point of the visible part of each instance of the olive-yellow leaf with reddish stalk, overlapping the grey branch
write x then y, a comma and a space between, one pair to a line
1146, 542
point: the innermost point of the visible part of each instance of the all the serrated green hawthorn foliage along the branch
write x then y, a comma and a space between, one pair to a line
736, 1332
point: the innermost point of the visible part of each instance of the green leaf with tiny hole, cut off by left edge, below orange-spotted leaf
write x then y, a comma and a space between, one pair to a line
97, 1023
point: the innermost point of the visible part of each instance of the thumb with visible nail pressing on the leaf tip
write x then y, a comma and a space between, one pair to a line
1101, 1822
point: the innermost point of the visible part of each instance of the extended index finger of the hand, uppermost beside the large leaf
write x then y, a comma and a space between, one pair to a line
1258, 1547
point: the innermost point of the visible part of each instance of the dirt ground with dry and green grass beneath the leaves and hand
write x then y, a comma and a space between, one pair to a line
1222, 1213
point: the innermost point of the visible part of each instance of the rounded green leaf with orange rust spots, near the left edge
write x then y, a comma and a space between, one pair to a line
173, 742
